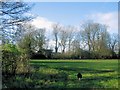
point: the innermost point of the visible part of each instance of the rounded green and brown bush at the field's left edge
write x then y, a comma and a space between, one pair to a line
13, 59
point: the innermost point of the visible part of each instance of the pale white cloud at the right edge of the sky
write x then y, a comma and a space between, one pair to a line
109, 19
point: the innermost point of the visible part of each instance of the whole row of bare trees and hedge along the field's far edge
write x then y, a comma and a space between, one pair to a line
92, 40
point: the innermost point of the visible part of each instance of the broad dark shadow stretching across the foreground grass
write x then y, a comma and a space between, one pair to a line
59, 80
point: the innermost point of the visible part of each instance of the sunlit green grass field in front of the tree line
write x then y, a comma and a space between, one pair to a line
62, 73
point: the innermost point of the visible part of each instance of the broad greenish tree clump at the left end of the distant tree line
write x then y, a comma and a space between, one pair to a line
32, 40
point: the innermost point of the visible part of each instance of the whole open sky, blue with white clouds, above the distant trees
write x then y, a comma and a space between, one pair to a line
75, 13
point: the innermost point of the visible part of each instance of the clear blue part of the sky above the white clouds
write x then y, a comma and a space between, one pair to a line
71, 13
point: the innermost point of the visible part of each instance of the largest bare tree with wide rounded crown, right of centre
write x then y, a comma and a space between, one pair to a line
95, 36
